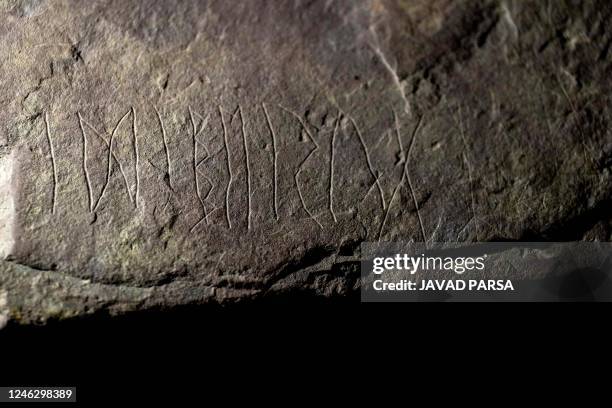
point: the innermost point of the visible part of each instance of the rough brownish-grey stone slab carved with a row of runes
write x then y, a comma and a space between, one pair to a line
255, 144
